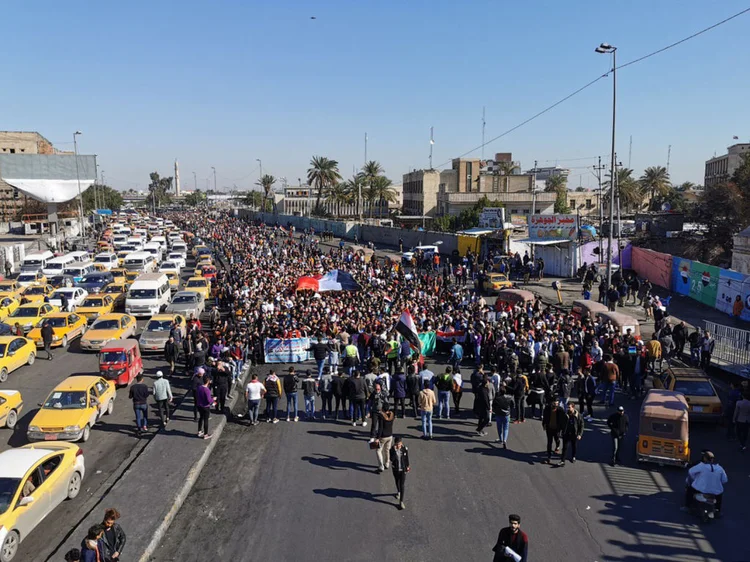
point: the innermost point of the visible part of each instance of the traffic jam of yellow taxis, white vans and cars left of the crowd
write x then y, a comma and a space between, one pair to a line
95, 300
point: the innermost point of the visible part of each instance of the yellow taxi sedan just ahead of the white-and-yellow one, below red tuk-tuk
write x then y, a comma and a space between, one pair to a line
72, 409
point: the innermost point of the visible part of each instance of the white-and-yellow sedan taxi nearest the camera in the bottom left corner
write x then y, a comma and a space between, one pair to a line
37, 478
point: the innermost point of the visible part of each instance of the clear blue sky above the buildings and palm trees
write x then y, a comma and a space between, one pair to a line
227, 83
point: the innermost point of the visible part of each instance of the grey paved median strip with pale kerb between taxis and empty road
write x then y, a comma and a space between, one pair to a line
151, 491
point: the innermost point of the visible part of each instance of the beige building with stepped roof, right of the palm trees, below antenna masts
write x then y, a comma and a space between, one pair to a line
465, 185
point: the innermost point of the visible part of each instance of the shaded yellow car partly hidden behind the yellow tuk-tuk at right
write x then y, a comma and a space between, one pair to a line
700, 394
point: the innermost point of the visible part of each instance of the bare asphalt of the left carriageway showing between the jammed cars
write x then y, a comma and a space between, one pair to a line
112, 442
